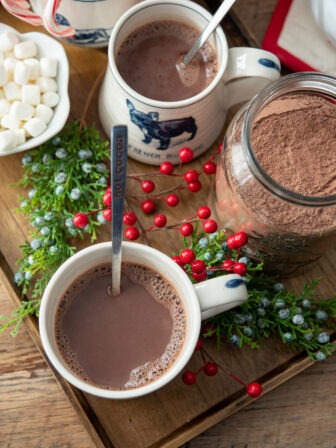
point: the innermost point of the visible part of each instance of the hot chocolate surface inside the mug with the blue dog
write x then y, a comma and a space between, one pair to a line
147, 61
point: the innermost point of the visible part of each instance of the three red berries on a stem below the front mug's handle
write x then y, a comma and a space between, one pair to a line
211, 368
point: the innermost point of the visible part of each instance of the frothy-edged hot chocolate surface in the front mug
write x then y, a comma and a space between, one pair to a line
125, 341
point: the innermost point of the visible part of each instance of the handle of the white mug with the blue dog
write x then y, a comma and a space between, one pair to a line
248, 71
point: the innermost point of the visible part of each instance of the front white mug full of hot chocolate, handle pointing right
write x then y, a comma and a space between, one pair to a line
132, 344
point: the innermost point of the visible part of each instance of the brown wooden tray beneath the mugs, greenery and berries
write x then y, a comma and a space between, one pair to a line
176, 413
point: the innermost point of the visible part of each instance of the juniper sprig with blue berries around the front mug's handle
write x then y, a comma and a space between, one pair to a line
303, 320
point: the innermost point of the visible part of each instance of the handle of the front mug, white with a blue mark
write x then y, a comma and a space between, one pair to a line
220, 294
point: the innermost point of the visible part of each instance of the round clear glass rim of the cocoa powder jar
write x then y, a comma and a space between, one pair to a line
295, 82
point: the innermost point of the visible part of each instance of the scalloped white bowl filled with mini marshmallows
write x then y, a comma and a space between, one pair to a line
34, 100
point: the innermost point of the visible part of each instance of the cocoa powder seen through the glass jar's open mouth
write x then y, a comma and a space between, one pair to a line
294, 140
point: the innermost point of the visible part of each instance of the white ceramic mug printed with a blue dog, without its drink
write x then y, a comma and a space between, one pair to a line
157, 129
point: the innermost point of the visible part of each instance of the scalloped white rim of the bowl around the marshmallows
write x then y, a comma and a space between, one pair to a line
47, 47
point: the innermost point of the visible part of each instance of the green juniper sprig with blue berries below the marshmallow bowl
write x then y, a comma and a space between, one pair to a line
66, 174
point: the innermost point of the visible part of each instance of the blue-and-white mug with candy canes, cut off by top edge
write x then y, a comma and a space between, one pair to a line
82, 22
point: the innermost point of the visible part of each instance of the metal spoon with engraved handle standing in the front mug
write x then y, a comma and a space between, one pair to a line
118, 181
